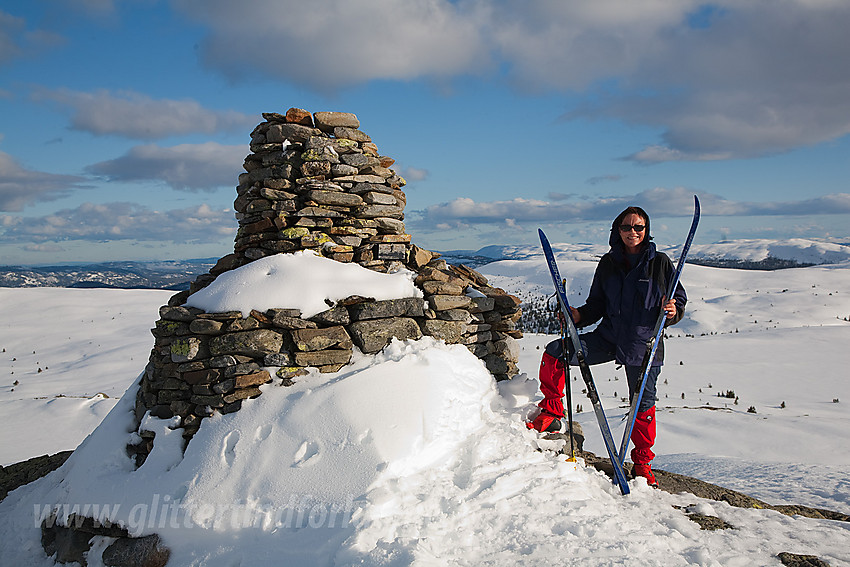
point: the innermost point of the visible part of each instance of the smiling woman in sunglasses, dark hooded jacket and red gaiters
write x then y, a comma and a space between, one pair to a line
626, 294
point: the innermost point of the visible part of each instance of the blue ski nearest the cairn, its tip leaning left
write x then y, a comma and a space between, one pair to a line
619, 476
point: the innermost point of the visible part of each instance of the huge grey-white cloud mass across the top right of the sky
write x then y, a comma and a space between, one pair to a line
723, 80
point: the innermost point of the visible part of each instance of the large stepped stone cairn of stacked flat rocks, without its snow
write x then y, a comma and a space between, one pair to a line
317, 182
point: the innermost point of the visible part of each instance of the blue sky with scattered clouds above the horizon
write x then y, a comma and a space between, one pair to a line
125, 123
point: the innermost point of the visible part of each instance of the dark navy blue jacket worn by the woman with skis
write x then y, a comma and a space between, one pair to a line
628, 300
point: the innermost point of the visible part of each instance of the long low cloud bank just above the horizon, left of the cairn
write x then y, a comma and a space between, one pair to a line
121, 221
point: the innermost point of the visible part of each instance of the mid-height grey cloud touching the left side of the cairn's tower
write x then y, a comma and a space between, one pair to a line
185, 167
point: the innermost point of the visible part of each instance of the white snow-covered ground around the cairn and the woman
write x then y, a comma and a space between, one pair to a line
414, 456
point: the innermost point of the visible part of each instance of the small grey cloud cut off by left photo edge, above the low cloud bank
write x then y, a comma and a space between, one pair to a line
20, 187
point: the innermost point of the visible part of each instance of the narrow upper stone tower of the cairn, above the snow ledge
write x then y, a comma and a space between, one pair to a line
315, 181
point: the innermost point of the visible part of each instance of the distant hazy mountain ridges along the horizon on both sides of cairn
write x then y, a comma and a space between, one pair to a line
176, 274
